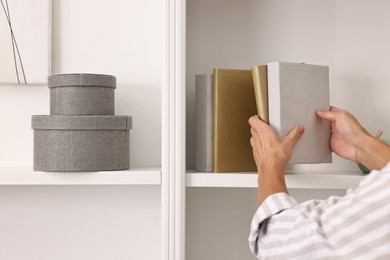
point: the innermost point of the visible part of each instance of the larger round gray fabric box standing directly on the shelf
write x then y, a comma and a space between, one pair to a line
81, 143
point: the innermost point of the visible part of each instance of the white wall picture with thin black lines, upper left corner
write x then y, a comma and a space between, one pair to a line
25, 56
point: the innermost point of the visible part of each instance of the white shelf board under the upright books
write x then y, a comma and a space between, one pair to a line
304, 180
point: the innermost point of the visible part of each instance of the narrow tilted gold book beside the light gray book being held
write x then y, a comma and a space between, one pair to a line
260, 83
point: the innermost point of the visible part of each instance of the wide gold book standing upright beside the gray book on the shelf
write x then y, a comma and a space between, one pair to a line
234, 103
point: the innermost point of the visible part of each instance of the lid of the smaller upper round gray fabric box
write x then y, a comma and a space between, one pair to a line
82, 79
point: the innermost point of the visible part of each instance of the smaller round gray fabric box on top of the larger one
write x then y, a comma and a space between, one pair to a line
82, 94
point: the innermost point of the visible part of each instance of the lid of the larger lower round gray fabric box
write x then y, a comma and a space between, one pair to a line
59, 122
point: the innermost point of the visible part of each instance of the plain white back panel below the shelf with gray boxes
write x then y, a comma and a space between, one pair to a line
83, 222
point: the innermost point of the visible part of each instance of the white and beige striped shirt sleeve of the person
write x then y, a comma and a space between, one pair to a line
355, 226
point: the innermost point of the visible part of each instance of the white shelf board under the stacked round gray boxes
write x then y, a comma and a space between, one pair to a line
26, 176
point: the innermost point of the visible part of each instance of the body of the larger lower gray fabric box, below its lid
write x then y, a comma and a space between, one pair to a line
81, 150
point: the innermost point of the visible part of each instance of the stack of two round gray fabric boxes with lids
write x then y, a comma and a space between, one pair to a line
82, 132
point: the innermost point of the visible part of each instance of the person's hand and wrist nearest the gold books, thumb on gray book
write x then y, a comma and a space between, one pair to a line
271, 154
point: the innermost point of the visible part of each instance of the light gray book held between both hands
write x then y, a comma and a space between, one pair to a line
295, 91
